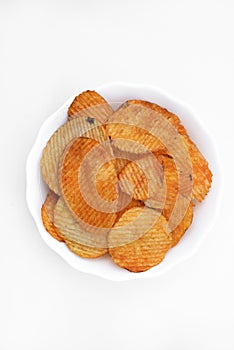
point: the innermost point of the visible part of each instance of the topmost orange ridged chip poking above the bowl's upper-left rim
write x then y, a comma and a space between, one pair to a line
91, 105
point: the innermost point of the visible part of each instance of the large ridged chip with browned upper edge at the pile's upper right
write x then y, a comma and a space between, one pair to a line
138, 126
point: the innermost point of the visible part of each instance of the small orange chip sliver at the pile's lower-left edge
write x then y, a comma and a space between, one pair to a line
47, 214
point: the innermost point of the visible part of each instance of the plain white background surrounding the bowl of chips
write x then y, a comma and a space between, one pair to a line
51, 50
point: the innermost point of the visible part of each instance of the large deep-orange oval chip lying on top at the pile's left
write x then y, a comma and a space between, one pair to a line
77, 175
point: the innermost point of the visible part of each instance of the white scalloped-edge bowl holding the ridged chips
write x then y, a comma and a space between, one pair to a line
204, 213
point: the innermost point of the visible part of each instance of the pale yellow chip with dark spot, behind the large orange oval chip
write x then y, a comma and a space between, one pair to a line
60, 139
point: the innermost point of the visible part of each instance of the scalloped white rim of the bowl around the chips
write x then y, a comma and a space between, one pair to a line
69, 256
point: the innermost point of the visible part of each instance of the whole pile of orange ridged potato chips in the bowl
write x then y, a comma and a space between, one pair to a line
122, 181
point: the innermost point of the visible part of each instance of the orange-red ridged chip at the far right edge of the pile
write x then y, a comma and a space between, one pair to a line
202, 175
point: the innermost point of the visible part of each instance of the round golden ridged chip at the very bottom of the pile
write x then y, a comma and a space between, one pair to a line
144, 252
